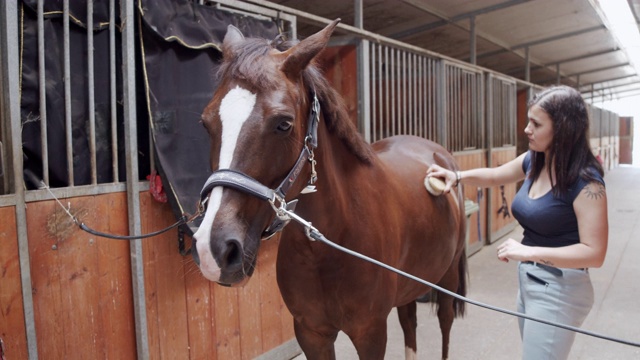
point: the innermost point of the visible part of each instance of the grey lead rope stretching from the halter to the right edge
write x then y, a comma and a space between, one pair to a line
314, 234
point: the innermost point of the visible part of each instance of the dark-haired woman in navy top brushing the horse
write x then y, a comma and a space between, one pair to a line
562, 207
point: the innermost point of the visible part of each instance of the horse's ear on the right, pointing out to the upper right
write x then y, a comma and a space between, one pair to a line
300, 55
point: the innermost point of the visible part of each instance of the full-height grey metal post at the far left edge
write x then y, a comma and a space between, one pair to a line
10, 100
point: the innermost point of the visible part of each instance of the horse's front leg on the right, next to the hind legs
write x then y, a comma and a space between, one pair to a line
370, 339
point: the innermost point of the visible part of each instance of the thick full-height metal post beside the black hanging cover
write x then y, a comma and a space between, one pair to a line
127, 16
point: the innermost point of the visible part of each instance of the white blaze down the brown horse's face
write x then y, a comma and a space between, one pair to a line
235, 109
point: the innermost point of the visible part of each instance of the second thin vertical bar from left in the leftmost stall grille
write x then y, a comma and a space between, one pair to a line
67, 93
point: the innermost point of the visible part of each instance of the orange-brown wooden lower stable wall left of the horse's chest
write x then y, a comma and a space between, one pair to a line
82, 290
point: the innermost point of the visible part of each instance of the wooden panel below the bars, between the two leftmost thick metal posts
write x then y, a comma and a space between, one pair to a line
82, 286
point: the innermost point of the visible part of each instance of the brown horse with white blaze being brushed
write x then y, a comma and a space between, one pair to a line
275, 123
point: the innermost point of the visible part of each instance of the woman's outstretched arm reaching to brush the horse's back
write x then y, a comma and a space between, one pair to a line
483, 177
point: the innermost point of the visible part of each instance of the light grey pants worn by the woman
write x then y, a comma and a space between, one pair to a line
559, 295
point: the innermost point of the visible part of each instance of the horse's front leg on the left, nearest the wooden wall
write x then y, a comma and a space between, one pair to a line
316, 345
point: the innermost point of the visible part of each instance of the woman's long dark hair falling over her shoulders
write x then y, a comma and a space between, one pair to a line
570, 154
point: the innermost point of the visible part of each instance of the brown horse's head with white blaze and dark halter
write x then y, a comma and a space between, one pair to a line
258, 122
